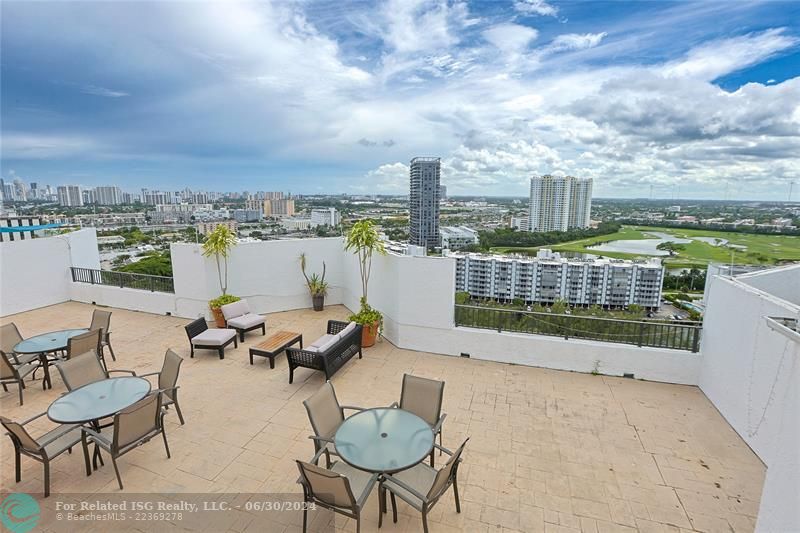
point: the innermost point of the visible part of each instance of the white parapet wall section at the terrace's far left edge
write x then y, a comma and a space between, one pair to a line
36, 272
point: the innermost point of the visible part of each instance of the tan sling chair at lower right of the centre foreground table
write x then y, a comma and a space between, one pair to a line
422, 486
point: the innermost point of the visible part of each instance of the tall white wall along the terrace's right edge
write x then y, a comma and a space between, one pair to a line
751, 373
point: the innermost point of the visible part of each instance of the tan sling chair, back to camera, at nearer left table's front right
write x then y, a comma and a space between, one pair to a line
133, 426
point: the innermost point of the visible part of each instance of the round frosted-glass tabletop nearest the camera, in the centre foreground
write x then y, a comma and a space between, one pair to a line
383, 440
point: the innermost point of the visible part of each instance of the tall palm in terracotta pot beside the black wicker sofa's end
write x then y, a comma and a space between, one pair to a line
364, 241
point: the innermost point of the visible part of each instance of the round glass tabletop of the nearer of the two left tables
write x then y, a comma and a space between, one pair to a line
98, 400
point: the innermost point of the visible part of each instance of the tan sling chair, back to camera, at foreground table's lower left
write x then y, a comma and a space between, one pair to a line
340, 488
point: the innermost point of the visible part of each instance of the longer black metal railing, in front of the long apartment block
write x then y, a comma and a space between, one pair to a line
684, 335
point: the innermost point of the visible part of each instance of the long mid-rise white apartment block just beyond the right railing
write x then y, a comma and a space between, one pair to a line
549, 277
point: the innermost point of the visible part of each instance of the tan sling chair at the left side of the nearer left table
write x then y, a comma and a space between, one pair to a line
43, 449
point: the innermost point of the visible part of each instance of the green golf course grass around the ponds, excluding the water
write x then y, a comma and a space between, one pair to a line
760, 248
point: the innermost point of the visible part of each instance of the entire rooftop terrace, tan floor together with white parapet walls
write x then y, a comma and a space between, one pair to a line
560, 440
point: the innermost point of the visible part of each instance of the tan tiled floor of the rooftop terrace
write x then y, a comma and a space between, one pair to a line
550, 450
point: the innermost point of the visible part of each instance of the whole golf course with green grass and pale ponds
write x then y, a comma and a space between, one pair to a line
693, 248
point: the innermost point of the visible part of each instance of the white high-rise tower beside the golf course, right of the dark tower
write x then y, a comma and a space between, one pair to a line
559, 203
